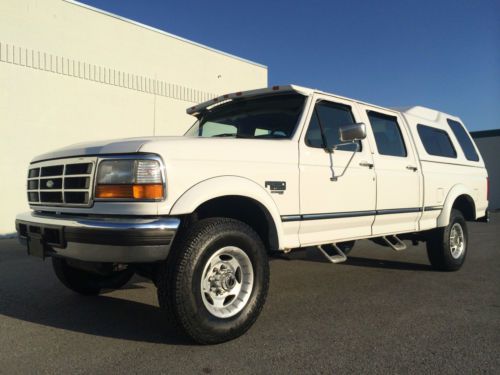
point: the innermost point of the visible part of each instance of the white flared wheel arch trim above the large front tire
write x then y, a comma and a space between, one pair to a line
223, 186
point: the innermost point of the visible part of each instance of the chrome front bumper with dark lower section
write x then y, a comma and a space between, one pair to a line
97, 239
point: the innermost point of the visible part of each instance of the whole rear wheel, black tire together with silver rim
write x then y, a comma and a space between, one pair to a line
447, 246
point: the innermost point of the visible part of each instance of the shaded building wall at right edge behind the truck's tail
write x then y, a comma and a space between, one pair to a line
490, 151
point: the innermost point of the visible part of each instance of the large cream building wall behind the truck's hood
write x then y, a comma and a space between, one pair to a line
70, 73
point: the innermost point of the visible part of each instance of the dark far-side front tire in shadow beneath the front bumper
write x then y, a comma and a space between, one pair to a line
88, 283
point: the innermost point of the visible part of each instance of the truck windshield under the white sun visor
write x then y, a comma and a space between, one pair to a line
271, 117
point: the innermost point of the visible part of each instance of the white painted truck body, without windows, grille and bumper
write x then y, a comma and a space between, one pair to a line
200, 169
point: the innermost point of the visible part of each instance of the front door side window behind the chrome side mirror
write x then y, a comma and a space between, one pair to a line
331, 117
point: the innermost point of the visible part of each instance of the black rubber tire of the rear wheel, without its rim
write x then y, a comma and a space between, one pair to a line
439, 245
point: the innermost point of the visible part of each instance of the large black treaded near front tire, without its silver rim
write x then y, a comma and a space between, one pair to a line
178, 280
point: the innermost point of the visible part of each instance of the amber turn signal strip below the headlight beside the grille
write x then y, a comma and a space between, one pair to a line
130, 191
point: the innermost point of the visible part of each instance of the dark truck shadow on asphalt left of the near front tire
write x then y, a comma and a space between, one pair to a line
102, 315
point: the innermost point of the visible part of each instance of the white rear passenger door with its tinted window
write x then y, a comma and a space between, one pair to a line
397, 170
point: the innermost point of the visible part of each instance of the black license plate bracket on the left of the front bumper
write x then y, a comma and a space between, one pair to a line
41, 238
